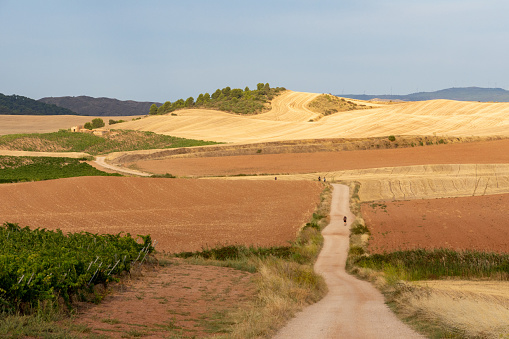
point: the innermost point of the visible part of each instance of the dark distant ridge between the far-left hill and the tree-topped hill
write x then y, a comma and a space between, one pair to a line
84, 105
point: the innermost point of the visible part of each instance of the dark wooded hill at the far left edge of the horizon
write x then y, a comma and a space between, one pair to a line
19, 105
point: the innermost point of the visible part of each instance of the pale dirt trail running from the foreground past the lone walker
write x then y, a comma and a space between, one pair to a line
352, 308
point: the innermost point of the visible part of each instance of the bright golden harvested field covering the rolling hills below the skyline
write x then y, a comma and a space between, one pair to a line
289, 120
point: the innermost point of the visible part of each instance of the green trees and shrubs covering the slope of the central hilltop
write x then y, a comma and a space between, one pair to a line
233, 100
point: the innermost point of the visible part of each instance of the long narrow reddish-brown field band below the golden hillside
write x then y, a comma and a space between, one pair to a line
486, 152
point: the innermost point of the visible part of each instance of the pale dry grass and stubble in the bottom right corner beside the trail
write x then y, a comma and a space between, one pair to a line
442, 310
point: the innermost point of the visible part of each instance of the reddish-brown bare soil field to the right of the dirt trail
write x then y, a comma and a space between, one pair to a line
468, 223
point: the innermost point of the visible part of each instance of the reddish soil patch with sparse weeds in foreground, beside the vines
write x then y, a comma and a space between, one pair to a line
184, 301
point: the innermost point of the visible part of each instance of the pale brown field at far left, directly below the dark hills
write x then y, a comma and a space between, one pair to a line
17, 124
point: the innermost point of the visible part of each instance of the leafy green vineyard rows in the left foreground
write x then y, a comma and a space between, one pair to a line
38, 265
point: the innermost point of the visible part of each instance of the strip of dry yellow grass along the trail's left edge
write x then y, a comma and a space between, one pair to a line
285, 287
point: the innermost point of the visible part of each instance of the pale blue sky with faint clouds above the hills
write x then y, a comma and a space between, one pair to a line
166, 50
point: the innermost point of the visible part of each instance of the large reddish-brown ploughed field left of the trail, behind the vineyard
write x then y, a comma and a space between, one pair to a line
182, 215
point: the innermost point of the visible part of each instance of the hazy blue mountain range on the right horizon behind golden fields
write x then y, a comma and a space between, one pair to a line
460, 94
